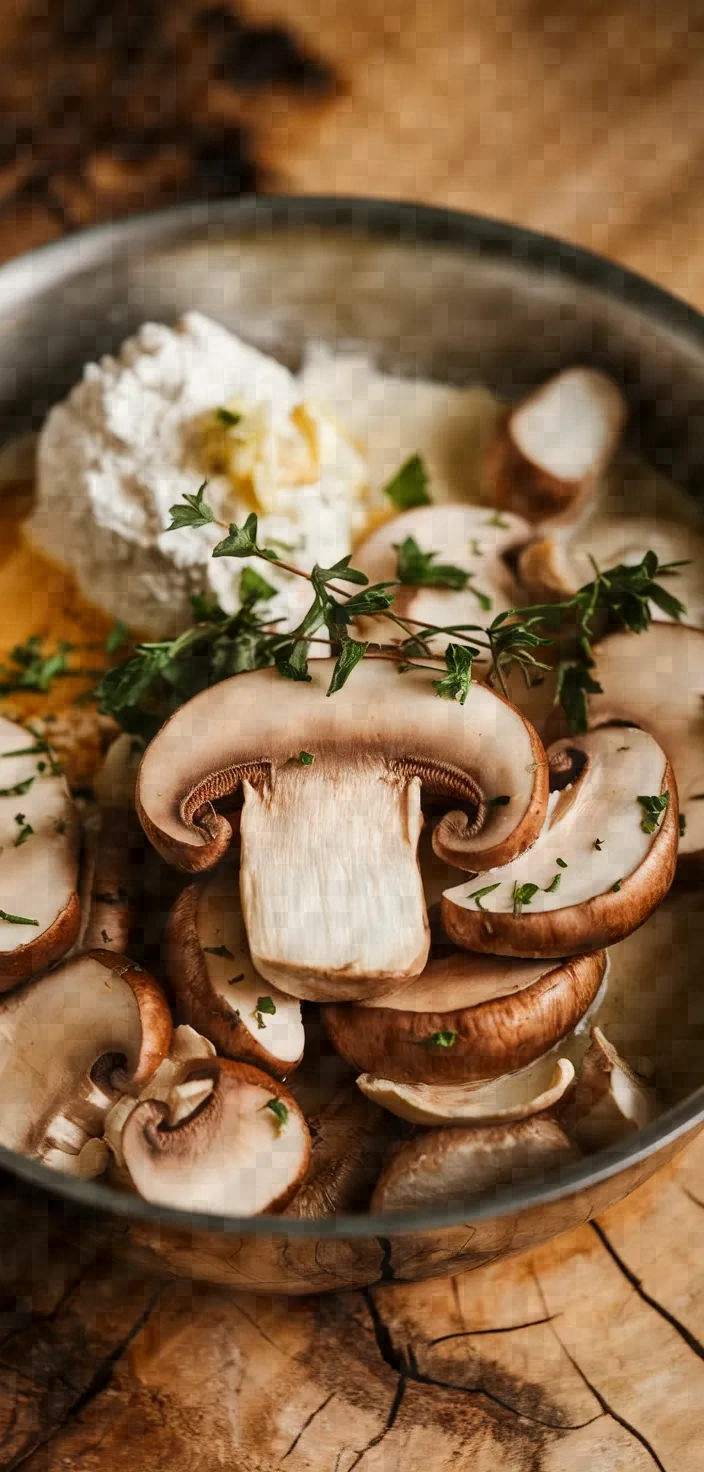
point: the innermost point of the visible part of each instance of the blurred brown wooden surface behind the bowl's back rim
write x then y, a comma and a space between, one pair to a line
581, 120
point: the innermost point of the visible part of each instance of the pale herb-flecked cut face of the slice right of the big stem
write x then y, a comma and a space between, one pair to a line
596, 827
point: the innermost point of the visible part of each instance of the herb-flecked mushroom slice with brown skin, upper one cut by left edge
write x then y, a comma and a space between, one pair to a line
39, 859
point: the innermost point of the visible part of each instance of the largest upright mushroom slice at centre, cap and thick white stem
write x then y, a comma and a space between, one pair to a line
329, 832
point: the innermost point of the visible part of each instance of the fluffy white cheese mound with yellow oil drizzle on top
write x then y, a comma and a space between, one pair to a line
129, 442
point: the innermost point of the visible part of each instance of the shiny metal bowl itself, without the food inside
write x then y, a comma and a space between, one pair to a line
429, 292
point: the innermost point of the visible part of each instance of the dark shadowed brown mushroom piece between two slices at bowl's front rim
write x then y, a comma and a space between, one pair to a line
350, 1142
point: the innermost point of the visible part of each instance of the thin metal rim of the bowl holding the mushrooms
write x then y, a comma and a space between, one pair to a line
379, 219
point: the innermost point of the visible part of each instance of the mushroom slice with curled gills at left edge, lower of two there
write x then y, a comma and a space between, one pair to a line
71, 1044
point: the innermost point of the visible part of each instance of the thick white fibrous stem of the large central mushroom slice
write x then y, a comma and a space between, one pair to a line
316, 882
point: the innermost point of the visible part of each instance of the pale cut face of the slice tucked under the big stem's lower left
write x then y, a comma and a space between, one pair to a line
278, 1027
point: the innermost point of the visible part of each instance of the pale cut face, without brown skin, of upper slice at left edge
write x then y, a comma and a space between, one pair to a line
39, 838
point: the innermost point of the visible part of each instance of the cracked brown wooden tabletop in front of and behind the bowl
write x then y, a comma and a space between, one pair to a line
585, 1356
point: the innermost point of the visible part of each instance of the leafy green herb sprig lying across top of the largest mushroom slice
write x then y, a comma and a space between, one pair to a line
160, 676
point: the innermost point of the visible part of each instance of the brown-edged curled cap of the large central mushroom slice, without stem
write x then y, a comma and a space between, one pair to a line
233, 734
